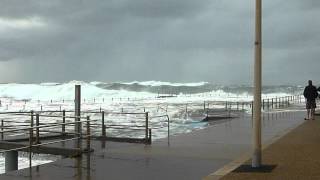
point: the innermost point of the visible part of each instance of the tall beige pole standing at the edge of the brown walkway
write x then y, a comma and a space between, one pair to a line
256, 157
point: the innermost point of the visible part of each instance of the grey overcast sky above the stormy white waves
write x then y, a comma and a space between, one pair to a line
166, 40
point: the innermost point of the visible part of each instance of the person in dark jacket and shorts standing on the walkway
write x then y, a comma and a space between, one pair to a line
310, 93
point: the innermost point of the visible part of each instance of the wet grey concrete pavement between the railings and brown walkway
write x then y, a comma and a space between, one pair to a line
189, 156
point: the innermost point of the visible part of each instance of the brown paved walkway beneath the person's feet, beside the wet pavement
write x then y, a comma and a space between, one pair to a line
294, 156
